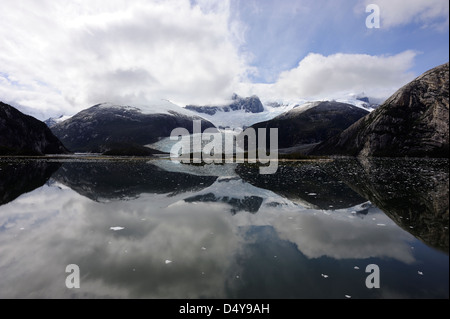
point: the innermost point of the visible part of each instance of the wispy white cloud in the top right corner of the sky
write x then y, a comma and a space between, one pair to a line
428, 13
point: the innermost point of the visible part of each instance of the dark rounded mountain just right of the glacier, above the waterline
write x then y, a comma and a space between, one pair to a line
313, 125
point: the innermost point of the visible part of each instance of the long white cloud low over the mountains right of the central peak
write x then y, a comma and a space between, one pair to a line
319, 76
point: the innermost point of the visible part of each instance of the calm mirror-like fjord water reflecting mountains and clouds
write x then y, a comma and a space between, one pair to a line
157, 229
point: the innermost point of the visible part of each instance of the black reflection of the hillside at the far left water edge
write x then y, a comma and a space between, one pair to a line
19, 177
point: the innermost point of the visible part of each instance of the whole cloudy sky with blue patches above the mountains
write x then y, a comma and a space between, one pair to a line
59, 57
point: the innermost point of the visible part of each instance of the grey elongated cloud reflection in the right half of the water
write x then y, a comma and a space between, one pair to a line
338, 234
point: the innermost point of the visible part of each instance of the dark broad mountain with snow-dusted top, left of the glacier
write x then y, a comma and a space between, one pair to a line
100, 129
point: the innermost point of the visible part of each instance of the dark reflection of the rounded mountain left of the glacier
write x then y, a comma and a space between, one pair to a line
126, 179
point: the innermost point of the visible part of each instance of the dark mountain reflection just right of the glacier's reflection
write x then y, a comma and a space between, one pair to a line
308, 184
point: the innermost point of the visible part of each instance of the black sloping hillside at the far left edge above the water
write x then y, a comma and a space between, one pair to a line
21, 134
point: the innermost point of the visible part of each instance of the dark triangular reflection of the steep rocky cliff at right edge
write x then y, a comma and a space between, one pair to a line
413, 192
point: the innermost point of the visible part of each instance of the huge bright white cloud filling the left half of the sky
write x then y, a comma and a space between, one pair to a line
81, 53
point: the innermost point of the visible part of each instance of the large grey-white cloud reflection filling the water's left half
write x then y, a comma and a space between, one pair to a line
126, 263
